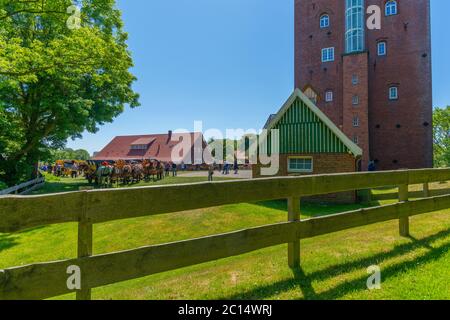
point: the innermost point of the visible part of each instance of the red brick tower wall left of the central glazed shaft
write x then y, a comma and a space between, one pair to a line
309, 41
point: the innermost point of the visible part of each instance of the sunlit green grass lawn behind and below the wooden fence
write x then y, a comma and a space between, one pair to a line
333, 266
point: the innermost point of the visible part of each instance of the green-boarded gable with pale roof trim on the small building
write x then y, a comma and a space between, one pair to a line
303, 128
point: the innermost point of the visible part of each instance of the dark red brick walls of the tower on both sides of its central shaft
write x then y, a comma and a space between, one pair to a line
397, 135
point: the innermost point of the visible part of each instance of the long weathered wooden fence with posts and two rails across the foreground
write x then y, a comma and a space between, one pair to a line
44, 280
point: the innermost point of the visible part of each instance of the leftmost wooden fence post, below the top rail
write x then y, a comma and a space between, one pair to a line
85, 231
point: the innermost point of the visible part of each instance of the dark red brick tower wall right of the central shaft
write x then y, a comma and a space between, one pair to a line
411, 144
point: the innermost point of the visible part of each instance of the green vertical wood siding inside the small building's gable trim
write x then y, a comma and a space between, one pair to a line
301, 131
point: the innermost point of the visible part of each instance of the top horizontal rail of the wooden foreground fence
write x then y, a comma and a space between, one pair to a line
116, 204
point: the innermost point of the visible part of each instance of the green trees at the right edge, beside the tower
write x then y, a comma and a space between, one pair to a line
441, 123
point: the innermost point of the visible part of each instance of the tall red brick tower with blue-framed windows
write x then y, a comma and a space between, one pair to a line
375, 85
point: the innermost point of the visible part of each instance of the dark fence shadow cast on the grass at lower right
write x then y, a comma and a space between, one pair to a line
303, 281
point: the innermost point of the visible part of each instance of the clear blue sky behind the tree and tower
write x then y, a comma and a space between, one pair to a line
228, 63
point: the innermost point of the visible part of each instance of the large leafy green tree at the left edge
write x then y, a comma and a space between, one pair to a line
59, 76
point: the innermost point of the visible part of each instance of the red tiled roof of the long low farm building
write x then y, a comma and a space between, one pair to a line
169, 147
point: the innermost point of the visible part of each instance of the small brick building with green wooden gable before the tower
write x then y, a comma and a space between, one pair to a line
309, 142
